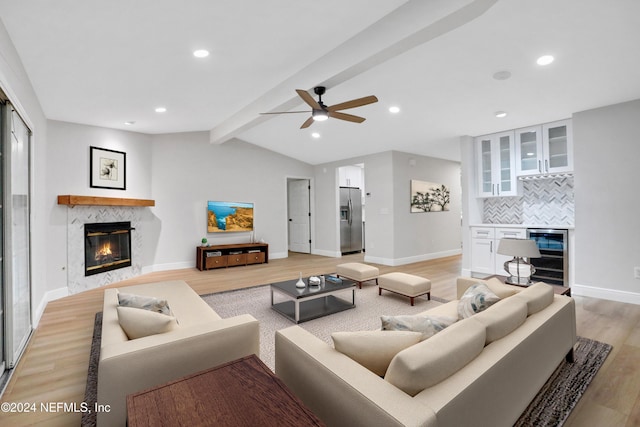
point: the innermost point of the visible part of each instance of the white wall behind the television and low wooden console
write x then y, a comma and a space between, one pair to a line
188, 171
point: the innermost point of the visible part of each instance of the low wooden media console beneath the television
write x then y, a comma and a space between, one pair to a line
218, 256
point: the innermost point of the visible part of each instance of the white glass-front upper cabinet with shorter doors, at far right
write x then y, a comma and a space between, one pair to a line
544, 149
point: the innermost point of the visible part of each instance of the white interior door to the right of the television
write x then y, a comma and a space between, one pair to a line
298, 194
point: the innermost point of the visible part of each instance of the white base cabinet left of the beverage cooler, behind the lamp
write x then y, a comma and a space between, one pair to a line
485, 258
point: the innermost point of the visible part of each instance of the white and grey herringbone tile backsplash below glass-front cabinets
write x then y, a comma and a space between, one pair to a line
543, 201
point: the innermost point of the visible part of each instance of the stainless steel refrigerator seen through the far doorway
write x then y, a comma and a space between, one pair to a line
350, 220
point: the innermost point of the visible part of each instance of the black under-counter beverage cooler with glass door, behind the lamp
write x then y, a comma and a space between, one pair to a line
553, 265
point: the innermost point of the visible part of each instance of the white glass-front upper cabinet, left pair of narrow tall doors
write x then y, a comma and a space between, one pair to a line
495, 165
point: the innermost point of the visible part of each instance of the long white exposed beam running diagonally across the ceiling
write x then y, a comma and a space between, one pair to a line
414, 23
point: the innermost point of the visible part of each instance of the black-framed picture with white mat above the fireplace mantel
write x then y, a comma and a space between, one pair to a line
107, 168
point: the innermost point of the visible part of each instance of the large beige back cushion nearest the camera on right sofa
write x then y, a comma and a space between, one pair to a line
427, 363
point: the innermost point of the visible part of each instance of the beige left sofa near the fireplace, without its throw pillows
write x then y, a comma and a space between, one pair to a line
201, 340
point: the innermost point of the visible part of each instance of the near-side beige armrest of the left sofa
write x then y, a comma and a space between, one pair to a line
135, 365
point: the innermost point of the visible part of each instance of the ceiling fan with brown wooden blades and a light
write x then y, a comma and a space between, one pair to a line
321, 112
